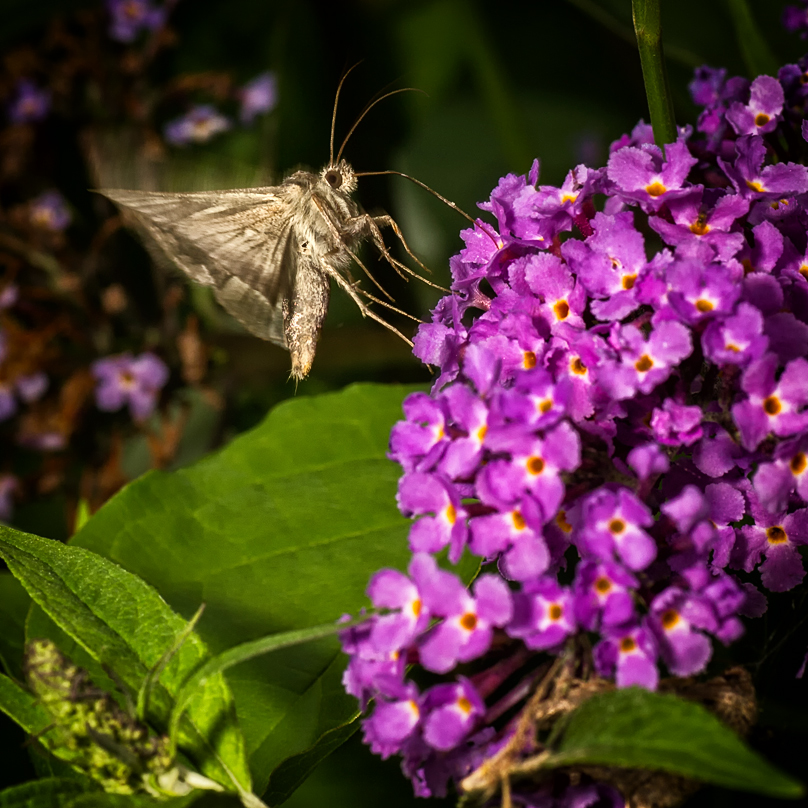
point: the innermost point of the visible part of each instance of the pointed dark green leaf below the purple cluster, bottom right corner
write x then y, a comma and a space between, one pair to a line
633, 728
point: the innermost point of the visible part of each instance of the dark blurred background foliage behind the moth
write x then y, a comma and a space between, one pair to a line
502, 83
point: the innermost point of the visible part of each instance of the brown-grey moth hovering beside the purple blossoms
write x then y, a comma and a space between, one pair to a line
270, 253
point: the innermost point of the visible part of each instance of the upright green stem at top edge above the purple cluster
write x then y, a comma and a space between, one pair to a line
648, 28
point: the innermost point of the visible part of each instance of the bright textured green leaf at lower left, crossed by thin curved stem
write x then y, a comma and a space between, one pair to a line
126, 626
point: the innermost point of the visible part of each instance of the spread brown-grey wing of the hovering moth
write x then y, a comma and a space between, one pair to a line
240, 242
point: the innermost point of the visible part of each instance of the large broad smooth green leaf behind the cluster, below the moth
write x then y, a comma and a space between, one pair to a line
279, 531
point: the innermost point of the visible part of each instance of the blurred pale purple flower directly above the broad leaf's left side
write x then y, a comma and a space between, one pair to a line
135, 381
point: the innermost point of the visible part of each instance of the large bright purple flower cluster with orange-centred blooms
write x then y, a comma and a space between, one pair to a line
615, 432
